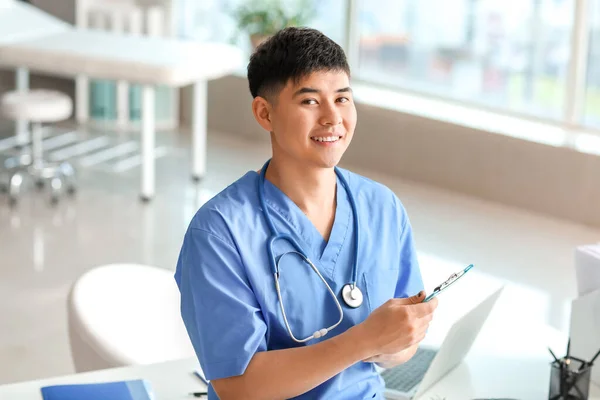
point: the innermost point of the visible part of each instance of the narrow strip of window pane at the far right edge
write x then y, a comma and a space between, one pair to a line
592, 100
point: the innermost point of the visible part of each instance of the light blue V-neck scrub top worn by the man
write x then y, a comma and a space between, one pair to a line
228, 300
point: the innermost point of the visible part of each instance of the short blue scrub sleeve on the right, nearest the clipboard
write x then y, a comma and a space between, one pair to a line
409, 279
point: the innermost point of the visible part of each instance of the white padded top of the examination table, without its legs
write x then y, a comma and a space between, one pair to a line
137, 59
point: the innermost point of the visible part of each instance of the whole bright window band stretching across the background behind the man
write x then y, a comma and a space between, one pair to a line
510, 55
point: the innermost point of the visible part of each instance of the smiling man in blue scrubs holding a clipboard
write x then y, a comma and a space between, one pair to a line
296, 279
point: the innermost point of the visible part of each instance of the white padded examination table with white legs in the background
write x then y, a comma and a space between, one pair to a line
148, 61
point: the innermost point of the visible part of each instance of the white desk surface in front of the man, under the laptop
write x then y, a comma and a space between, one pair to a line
509, 357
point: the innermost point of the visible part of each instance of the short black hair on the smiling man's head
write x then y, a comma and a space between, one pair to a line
292, 53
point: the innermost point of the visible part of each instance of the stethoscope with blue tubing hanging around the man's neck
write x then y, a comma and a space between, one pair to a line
351, 294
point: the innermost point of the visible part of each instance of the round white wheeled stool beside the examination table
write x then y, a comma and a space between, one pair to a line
39, 106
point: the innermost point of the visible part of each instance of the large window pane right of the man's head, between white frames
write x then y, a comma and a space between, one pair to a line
505, 54
